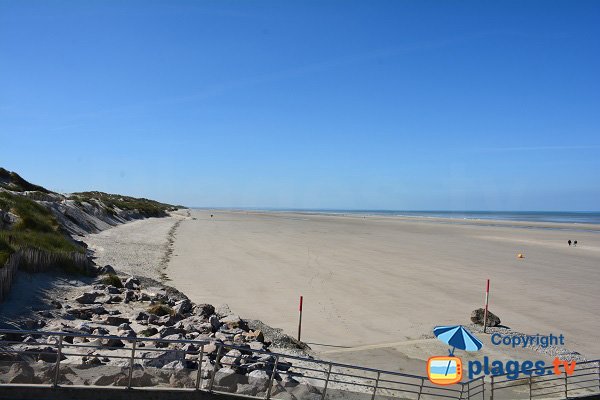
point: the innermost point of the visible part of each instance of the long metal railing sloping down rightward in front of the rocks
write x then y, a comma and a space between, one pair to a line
77, 359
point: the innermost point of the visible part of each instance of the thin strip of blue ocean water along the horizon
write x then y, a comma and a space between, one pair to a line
578, 217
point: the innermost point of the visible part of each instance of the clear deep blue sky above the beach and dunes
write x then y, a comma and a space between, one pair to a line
465, 105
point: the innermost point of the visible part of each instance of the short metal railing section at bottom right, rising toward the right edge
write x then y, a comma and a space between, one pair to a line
544, 382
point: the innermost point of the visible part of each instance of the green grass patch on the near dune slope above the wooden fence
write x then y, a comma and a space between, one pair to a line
35, 228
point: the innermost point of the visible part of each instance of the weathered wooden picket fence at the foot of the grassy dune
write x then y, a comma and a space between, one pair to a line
35, 260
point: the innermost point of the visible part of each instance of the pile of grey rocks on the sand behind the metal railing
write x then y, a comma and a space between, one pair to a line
238, 355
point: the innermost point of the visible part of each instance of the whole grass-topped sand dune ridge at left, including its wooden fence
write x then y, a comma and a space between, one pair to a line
38, 224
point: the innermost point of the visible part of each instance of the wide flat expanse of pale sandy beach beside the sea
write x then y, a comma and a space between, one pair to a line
374, 286
